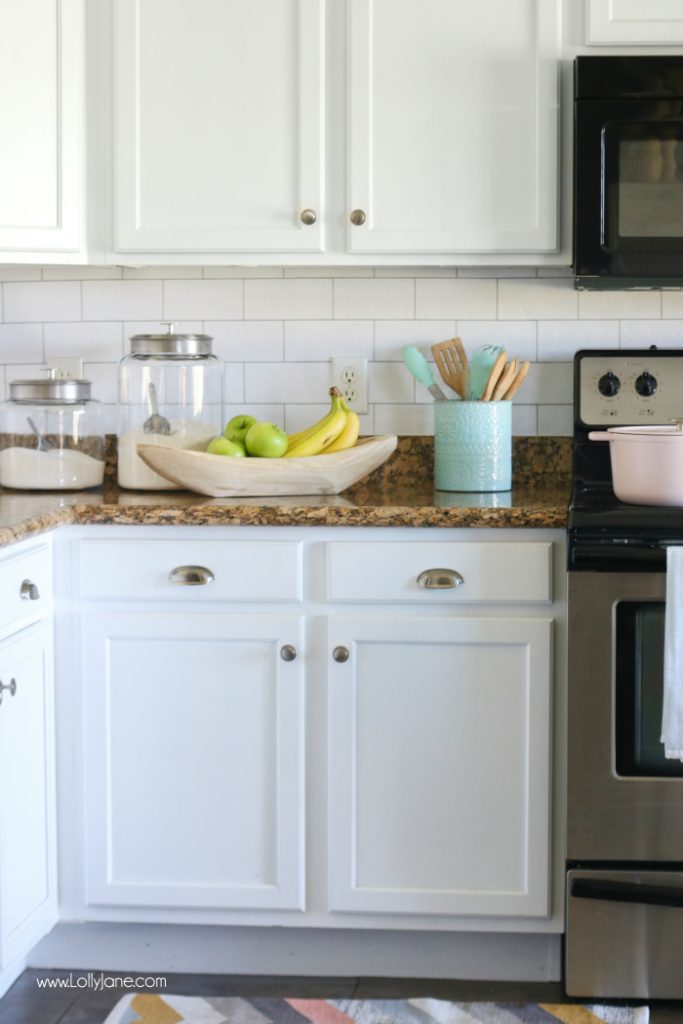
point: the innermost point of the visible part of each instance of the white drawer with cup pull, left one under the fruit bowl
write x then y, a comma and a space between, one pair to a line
250, 571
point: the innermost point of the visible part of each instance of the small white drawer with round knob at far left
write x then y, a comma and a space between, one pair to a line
26, 586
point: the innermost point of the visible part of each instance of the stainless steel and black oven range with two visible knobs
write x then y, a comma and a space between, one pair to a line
625, 800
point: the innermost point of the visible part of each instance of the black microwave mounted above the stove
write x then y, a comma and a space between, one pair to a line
628, 173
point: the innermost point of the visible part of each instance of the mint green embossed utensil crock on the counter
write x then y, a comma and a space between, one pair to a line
473, 446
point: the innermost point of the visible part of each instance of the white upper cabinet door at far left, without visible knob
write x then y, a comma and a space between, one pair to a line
42, 98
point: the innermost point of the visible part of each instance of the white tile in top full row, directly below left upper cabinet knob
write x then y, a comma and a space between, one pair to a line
288, 300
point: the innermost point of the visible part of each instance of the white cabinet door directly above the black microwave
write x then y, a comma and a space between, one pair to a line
634, 22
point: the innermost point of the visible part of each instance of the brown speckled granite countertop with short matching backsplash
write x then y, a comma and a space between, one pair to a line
400, 494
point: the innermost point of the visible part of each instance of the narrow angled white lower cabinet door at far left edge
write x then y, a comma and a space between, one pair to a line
28, 856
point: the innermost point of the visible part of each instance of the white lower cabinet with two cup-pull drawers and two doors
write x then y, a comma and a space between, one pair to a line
370, 746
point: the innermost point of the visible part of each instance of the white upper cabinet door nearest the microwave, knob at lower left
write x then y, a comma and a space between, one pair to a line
454, 126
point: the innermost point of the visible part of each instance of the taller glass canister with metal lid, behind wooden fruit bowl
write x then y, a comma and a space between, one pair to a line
170, 393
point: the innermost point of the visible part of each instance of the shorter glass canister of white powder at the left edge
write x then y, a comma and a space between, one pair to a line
52, 437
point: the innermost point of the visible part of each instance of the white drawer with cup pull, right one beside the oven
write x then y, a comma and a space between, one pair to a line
501, 572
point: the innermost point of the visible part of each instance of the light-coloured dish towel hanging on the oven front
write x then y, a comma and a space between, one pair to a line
672, 713
